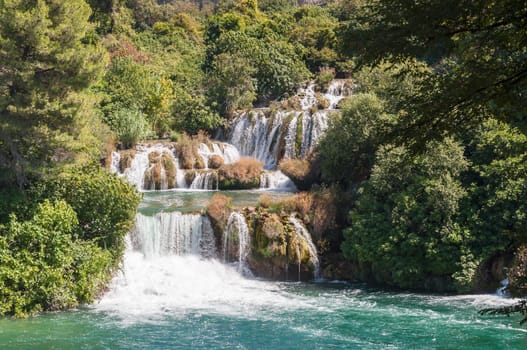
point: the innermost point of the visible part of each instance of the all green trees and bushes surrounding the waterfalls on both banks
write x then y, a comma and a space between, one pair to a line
428, 157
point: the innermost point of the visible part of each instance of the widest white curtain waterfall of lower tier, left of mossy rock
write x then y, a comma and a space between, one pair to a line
173, 233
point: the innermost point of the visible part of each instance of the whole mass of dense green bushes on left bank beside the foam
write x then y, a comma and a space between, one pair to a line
67, 250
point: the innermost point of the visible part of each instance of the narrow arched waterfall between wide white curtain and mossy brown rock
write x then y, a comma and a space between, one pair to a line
236, 236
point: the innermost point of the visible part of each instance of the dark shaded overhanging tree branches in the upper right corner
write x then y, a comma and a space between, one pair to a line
477, 50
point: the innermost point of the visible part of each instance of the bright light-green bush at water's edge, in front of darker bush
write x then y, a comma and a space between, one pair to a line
44, 266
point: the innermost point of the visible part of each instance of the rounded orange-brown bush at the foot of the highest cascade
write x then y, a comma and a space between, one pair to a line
244, 174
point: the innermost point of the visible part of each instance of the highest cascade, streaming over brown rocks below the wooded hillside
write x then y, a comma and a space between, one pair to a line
291, 132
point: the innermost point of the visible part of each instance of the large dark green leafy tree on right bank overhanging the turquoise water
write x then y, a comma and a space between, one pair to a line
405, 224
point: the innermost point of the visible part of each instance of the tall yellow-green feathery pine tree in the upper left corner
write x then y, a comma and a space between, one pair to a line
45, 65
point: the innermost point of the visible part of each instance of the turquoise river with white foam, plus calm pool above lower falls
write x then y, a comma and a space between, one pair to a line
187, 302
